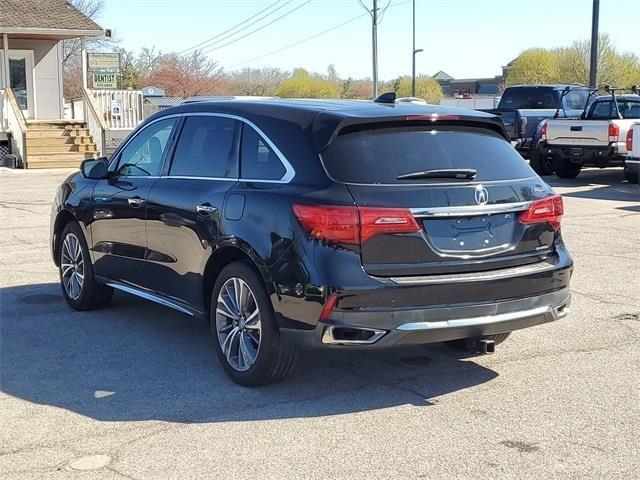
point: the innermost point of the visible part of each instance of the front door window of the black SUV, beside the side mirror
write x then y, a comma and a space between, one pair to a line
145, 152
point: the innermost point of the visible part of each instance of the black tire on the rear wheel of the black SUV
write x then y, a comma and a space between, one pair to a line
274, 359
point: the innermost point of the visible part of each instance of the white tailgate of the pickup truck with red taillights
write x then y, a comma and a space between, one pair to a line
583, 133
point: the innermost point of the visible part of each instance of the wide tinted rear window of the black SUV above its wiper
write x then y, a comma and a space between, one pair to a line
380, 156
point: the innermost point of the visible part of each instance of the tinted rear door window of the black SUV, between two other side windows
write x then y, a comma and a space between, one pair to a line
207, 148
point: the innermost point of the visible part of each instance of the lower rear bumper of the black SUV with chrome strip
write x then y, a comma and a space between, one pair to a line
391, 327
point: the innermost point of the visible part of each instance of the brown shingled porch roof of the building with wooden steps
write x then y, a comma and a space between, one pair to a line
53, 18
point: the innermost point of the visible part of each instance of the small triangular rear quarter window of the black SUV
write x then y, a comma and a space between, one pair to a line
258, 160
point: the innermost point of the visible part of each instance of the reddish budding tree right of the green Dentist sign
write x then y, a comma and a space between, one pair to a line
187, 76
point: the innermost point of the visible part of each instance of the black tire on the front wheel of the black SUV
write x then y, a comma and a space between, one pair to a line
90, 294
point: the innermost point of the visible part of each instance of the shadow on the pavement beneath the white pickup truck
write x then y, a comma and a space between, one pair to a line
602, 184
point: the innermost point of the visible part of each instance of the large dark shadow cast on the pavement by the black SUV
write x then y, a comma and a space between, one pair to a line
136, 360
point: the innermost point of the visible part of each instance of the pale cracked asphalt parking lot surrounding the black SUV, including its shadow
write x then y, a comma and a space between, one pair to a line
135, 391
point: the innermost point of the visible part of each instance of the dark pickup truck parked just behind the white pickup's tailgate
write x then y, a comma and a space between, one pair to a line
524, 107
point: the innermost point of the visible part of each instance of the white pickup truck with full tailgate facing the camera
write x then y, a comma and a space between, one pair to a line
597, 139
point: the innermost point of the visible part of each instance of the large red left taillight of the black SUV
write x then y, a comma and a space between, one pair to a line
353, 225
